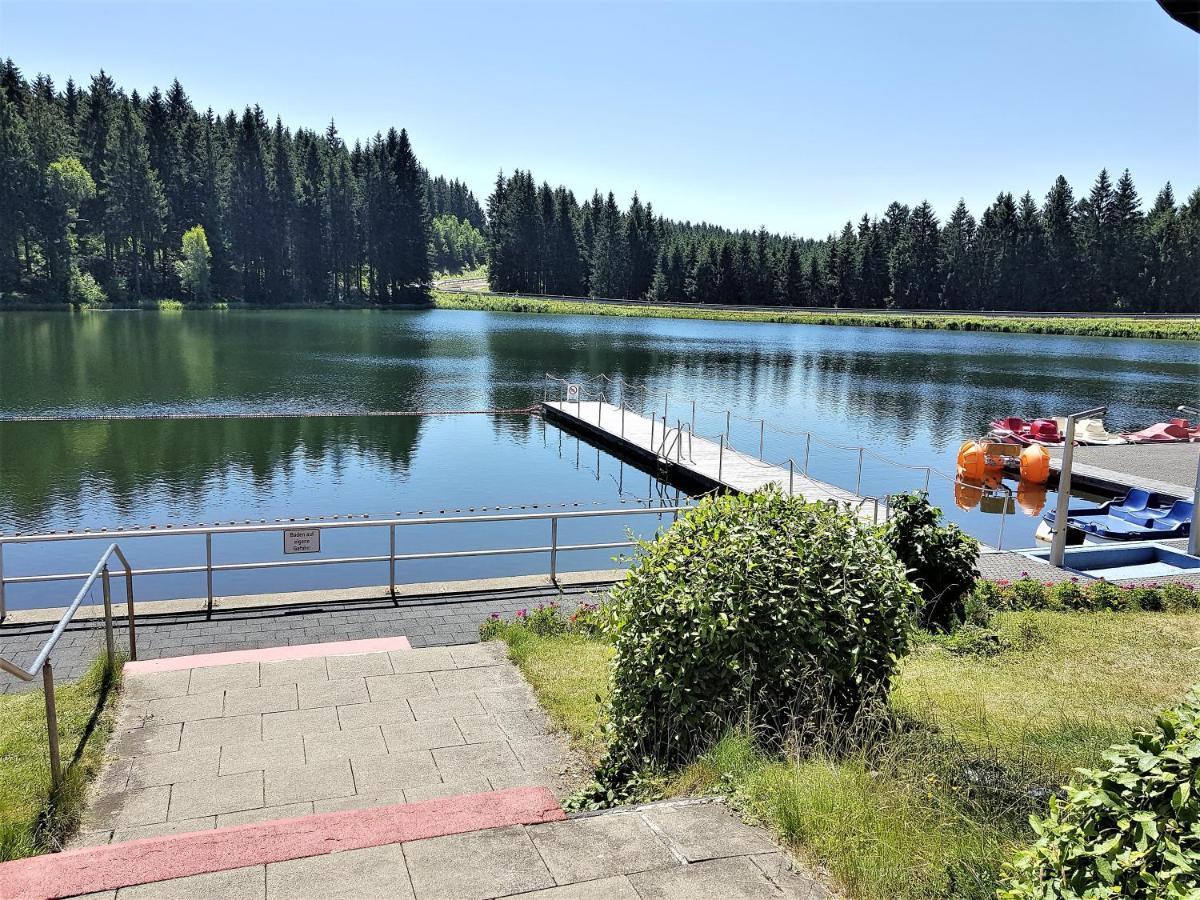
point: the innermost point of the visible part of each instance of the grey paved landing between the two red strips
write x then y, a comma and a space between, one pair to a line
219, 746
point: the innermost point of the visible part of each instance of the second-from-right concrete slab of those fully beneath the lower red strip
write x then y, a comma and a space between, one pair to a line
371, 873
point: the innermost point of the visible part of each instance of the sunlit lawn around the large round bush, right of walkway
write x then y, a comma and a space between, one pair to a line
939, 807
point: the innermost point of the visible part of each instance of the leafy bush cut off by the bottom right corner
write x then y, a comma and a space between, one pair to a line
1130, 831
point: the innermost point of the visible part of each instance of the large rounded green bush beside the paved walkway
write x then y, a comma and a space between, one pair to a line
759, 608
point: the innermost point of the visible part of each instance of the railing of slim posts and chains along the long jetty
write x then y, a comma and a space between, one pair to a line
598, 388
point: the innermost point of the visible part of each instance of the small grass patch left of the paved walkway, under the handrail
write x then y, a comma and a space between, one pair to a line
32, 821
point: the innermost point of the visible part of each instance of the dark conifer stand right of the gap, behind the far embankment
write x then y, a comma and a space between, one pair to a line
1099, 254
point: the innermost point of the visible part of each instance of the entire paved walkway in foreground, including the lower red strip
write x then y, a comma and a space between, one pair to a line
369, 769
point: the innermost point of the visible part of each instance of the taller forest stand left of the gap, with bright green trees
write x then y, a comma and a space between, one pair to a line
113, 196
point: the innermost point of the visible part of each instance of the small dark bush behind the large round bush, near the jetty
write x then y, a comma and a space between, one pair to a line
941, 560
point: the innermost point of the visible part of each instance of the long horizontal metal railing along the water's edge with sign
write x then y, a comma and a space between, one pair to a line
392, 525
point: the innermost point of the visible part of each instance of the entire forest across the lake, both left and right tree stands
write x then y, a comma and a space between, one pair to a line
106, 195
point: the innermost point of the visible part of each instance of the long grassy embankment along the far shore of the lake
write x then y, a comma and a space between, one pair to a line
1099, 327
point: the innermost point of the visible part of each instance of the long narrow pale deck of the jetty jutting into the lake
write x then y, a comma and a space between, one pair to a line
689, 459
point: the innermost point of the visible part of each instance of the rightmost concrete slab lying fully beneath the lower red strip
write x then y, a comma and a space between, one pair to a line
477, 866
